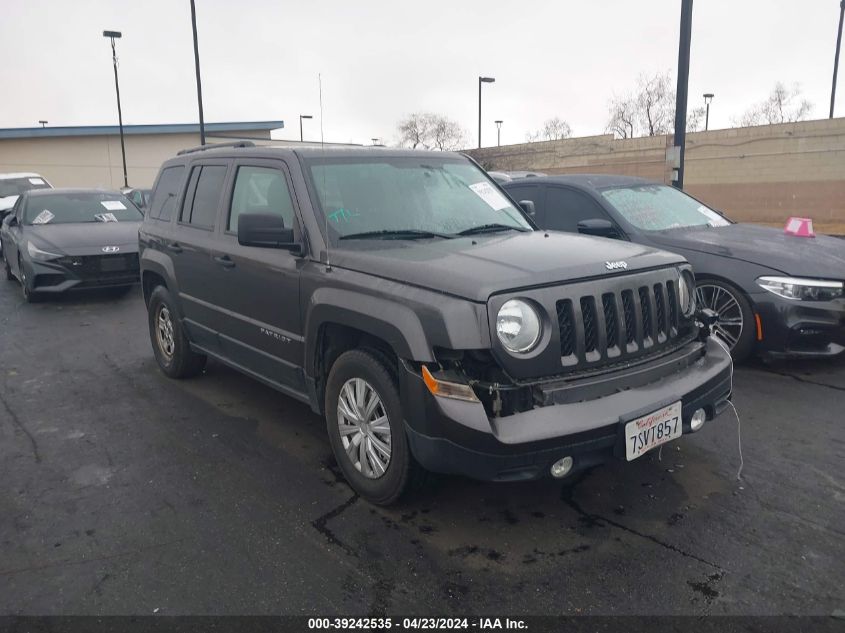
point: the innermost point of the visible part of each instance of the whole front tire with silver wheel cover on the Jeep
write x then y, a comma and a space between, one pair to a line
366, 427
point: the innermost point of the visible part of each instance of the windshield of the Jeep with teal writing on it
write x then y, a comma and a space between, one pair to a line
429, 196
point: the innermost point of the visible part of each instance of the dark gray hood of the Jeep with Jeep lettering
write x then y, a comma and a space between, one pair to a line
477, 267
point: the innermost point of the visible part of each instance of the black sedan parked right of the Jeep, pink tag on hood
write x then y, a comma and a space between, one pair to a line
775, 294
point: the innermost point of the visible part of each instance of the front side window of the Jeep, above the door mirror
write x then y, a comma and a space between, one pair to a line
260, 190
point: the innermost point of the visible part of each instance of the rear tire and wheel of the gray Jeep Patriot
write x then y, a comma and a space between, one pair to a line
170, 345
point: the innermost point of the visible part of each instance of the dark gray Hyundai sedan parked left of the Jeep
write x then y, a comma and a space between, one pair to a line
60, 239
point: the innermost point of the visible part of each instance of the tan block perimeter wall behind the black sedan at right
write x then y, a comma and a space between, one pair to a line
756, 174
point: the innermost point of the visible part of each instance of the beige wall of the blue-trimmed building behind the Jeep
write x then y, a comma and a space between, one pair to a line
95, 161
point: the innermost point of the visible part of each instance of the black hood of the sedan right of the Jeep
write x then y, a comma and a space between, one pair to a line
820, 256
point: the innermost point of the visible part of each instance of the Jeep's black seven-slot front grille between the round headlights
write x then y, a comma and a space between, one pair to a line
627, 322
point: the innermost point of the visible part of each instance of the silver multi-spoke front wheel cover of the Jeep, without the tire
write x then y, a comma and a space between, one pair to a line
364, 428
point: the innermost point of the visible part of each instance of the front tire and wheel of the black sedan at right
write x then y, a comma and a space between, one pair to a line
736, 325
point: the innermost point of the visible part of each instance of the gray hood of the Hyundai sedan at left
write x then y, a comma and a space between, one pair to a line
86, 238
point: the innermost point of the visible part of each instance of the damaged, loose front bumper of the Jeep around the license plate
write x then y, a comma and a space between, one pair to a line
583, 419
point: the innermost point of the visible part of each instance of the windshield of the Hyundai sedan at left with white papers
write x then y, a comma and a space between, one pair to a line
68, 208
